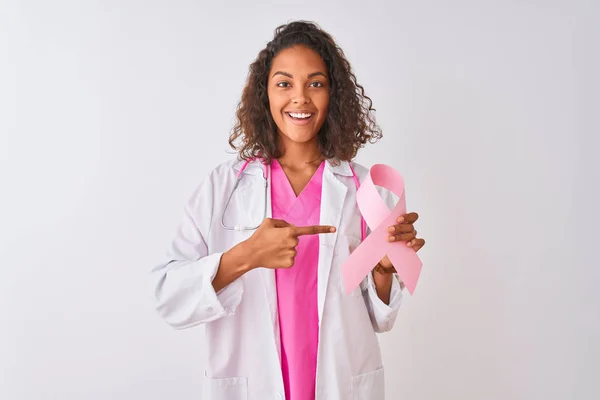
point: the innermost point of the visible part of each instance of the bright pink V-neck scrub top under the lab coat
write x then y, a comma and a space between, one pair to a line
297, 286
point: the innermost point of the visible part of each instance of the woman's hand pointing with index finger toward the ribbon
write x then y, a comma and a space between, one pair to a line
273, 244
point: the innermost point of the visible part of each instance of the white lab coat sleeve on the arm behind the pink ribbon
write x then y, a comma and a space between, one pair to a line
383, 316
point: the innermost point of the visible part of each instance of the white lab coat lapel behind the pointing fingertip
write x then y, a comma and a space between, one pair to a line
332, 202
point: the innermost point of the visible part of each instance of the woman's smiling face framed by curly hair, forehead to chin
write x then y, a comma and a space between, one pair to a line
298, 90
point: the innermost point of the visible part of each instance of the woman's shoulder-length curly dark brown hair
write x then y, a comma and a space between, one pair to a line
350, 121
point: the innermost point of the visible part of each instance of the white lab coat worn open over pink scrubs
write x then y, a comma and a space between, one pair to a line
241, 320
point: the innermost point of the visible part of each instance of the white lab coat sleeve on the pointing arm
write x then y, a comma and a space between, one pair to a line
183, 288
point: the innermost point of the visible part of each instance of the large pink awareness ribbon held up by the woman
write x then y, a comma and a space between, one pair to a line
379, 218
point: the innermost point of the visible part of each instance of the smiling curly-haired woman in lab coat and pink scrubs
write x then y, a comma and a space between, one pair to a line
257, 258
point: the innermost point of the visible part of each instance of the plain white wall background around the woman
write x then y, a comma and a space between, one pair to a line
111, 112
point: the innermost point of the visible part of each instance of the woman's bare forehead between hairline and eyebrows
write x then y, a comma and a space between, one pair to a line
298, 60
